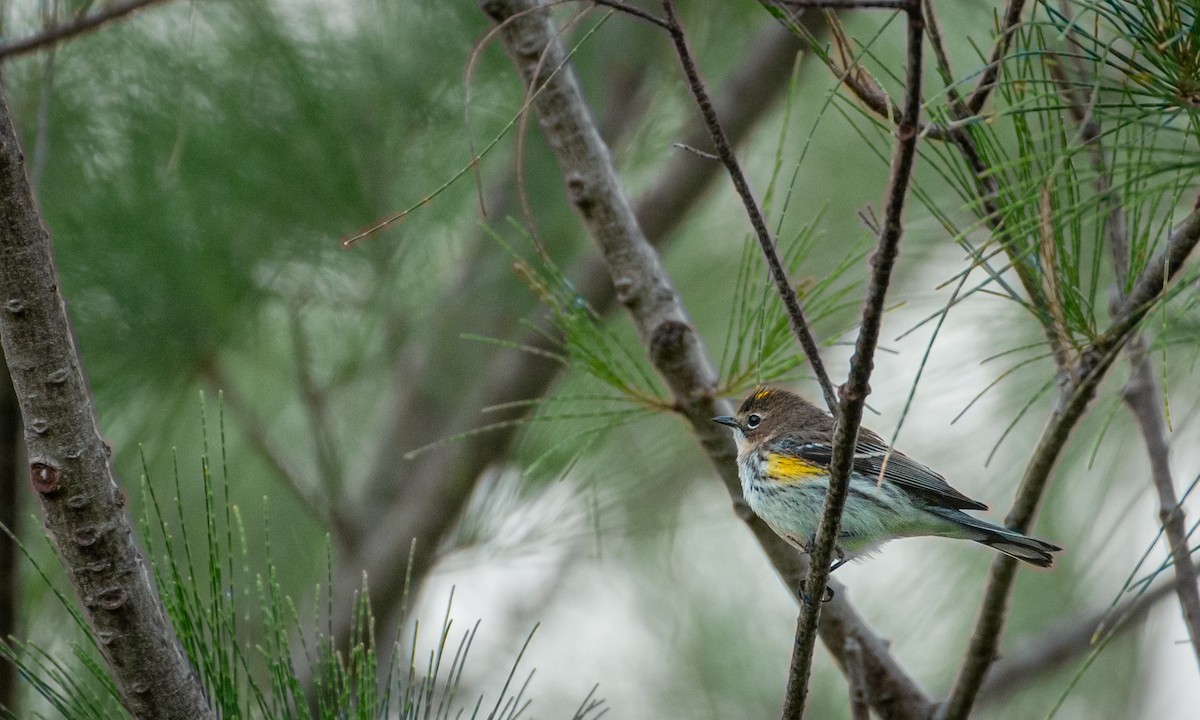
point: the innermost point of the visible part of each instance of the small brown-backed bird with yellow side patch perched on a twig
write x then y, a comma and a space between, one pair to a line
785, 447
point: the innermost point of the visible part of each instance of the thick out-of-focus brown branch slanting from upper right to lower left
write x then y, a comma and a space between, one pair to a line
427, 496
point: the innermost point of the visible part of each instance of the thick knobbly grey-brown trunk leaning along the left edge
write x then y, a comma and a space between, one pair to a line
83, 505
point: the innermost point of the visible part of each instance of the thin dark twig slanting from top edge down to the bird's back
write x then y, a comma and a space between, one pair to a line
787, 292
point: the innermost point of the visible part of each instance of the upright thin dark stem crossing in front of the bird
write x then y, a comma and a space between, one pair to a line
854, 393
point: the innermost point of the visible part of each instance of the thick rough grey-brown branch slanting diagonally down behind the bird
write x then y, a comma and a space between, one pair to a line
664, 326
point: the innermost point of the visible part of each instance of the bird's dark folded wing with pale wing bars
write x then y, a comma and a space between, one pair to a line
908, 473
